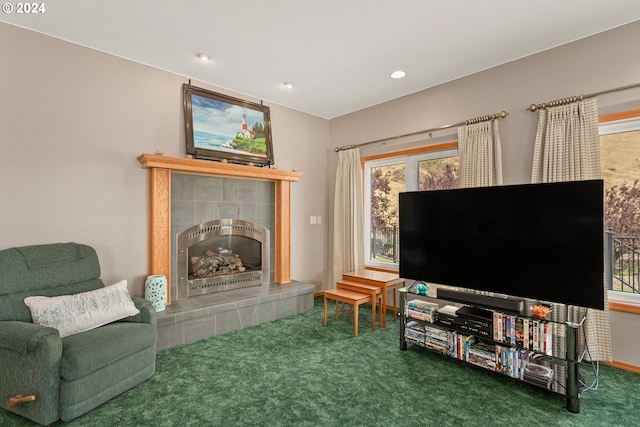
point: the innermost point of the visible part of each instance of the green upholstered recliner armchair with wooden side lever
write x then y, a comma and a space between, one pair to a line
46, 378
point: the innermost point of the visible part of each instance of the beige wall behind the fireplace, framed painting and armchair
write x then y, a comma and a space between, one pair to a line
72, 122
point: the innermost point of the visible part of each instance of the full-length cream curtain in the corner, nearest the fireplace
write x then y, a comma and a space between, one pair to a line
348, 216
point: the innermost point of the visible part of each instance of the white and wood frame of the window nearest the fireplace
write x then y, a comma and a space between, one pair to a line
410, 158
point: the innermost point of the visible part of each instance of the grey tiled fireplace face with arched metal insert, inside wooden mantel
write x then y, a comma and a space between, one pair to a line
219, 214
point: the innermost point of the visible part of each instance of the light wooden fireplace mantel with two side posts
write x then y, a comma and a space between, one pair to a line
161, 167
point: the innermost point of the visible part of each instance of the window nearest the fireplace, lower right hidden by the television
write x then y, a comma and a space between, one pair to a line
431, 168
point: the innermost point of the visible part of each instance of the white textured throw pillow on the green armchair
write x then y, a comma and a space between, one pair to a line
72, 314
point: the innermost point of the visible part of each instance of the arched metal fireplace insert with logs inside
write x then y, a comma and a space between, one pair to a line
222, 255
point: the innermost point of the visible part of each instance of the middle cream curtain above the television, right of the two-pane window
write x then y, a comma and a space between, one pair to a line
480, 154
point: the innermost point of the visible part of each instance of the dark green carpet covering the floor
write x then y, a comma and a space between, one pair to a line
295, 372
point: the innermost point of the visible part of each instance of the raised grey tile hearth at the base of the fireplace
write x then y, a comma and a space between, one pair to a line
200, 317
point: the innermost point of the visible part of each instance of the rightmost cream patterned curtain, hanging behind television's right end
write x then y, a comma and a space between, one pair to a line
567, 148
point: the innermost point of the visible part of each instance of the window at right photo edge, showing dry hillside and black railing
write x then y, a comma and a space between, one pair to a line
620, 163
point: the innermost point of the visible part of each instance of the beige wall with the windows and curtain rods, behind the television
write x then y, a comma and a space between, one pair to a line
604, 61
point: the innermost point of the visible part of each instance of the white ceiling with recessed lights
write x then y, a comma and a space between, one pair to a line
339, 53
